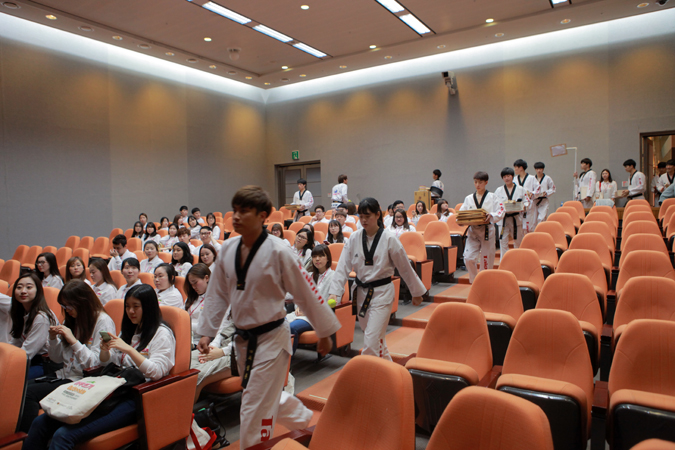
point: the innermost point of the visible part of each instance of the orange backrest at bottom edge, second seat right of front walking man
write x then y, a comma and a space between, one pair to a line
478, 418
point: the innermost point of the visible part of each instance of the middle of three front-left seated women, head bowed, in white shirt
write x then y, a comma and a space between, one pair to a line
75, 344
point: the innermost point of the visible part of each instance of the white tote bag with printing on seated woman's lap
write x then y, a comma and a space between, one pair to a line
72, 402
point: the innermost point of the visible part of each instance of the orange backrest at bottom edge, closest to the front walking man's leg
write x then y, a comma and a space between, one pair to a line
356, 404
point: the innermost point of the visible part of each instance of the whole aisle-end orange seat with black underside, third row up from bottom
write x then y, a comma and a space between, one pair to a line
497, 294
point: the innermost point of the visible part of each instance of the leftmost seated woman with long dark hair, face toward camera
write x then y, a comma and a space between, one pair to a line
31, 319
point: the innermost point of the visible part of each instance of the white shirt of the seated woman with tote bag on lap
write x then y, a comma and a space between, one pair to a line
160, 354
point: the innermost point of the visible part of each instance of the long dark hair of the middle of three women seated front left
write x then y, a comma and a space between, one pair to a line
79, 295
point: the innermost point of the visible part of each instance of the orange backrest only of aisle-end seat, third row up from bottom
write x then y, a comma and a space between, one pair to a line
496, 291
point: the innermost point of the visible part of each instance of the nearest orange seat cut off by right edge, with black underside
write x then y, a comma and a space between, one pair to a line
641, 385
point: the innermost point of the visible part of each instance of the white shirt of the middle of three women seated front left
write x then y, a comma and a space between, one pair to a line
77, 357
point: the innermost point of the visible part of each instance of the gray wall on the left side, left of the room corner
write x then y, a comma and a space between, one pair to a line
85, 147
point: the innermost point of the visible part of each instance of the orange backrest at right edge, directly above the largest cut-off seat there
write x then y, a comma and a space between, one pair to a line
646, 298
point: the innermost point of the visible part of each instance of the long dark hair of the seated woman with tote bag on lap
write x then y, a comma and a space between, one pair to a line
152, 316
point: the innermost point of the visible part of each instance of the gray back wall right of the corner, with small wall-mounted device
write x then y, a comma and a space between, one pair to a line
389, 137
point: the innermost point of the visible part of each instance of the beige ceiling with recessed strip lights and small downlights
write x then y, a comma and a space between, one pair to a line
344, 29
